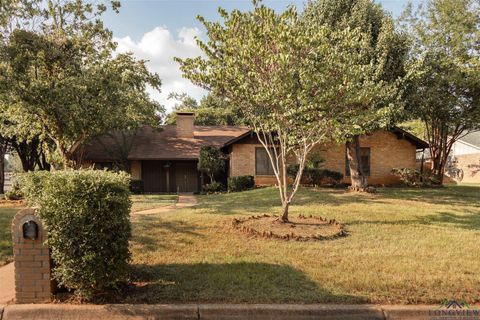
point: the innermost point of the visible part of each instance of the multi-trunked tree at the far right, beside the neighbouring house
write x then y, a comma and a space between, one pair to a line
444, 73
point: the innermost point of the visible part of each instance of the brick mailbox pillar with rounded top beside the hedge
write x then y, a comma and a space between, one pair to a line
32, 258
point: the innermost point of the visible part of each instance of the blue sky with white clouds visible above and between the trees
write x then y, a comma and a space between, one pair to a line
158, 30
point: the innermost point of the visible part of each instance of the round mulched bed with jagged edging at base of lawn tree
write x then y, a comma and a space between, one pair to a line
301, 228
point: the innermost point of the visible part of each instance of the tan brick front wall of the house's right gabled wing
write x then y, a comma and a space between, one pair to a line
386, 152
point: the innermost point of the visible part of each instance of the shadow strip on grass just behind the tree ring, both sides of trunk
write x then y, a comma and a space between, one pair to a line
266, 200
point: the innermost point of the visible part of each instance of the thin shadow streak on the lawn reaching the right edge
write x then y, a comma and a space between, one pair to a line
470, 220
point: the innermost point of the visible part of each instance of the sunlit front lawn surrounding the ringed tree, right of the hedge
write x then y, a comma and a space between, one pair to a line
404, 246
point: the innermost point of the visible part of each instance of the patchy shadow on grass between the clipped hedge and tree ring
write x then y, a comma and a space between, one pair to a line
150, 230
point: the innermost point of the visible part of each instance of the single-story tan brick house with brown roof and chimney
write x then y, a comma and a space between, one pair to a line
166, 160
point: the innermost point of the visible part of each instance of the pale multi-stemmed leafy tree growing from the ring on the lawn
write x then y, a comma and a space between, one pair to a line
289, 81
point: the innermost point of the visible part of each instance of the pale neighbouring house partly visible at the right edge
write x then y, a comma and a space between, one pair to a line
464, 164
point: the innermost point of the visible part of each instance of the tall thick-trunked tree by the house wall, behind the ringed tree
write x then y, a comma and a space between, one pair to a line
385, 48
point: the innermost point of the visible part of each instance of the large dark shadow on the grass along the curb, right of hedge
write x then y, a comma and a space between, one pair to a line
232, 282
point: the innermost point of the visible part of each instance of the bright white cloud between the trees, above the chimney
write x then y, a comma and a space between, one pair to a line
158, 47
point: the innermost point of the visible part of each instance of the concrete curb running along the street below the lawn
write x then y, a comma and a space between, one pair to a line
216, 311
